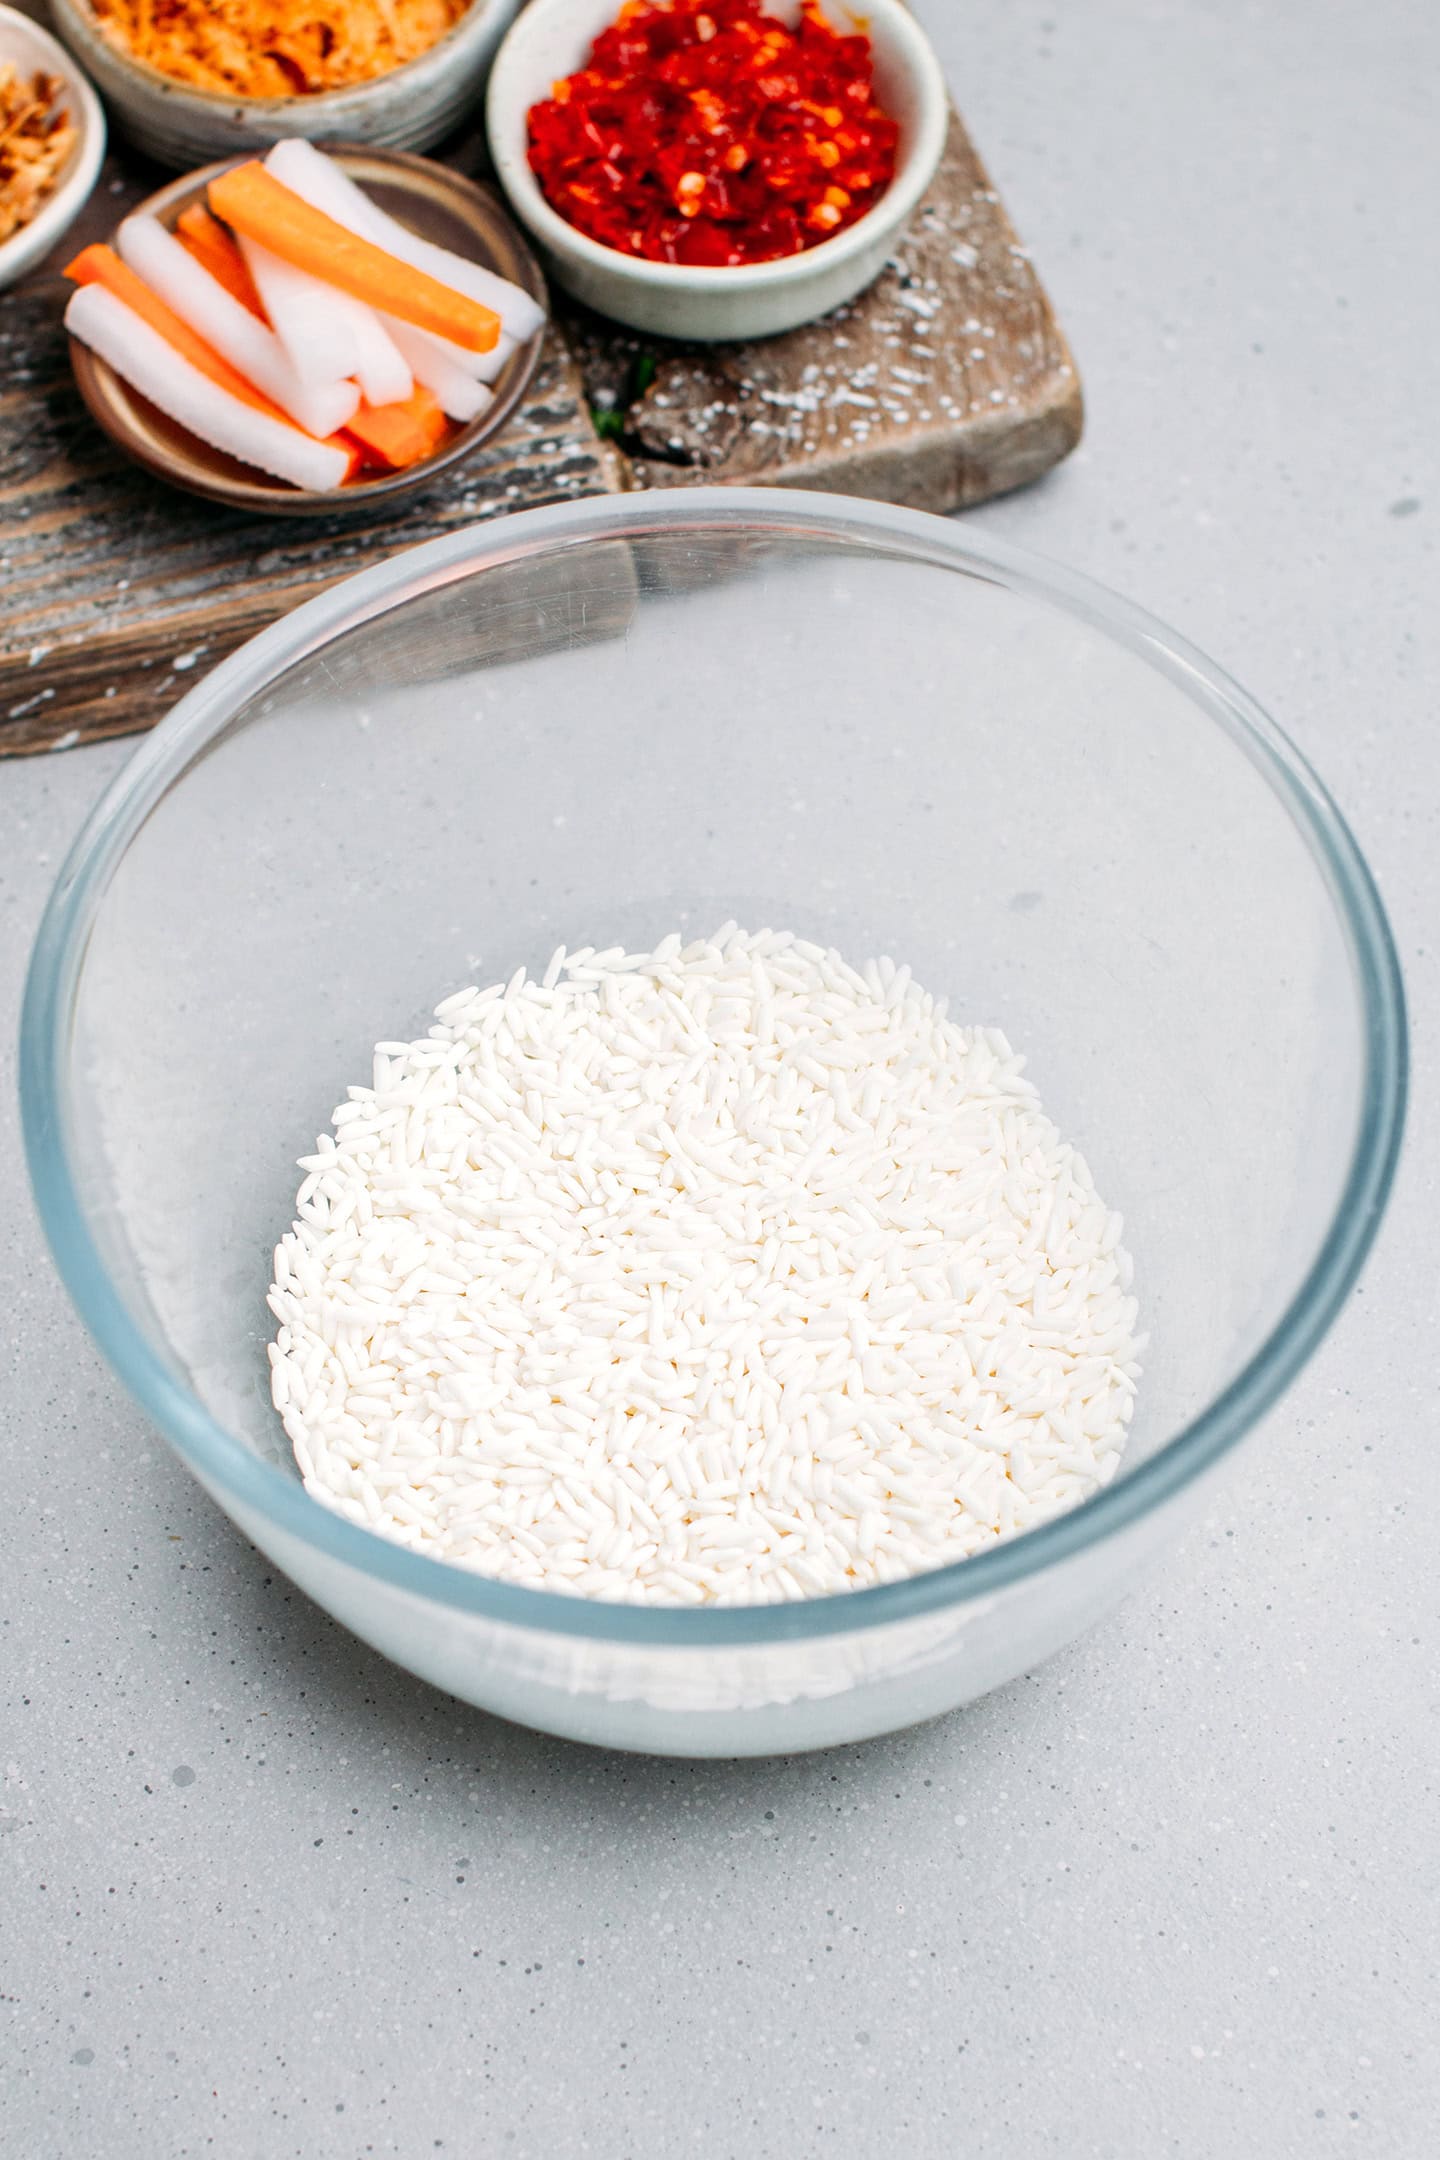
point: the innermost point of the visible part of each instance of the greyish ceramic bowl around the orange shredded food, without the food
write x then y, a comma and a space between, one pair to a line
409, 109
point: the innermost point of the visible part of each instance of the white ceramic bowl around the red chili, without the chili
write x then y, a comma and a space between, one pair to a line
554, 38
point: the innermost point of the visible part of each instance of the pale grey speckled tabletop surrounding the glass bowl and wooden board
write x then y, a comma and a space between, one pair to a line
1176, 1893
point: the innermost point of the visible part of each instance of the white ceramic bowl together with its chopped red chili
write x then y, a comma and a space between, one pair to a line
716, 170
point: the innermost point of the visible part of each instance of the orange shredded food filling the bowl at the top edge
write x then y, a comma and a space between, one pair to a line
275, 49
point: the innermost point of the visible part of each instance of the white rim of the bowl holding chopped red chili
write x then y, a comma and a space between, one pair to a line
893, 211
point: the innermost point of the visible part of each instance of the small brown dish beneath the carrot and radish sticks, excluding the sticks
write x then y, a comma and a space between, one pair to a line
433, 202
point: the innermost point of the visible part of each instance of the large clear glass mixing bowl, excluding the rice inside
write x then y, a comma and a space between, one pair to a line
616, 718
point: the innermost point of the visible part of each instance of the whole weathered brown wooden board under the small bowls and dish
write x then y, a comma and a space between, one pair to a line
942, 386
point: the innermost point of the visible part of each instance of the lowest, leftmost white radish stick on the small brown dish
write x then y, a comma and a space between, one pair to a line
163, 375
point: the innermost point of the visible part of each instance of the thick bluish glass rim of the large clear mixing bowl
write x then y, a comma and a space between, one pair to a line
232, 1470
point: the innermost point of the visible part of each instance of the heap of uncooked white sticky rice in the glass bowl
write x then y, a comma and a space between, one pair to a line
722, 1273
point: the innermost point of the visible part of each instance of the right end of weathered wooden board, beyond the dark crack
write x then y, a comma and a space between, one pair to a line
947, 383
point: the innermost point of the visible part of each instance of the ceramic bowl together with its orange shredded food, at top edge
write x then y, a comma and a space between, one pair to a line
193, 81
